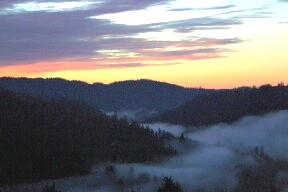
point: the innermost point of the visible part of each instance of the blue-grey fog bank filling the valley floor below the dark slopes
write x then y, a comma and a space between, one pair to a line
213, 163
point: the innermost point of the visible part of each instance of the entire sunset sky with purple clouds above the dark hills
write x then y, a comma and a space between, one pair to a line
193, 43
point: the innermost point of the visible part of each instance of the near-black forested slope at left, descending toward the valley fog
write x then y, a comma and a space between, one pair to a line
42, 139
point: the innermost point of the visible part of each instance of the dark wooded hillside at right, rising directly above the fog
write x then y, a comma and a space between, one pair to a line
228, 106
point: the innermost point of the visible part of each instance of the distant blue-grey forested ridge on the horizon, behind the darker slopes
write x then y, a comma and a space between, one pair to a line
127, 95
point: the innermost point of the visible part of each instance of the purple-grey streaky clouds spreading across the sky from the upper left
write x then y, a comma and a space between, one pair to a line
31, 37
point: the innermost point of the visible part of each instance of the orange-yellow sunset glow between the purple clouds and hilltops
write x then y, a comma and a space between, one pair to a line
260, 60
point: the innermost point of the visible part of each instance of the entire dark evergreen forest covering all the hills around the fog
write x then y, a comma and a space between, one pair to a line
51, 128
